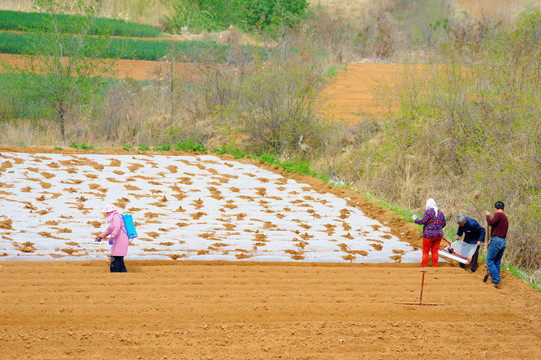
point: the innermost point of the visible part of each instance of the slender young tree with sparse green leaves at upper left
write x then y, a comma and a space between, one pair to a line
70, 64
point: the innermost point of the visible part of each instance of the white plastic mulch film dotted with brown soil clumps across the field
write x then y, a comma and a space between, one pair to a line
184, 207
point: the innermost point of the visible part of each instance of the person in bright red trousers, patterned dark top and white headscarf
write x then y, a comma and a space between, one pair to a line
433, 222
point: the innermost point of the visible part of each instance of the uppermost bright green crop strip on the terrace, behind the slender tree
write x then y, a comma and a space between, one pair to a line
31, 22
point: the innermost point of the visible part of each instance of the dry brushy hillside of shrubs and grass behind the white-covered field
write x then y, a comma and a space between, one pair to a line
465, 131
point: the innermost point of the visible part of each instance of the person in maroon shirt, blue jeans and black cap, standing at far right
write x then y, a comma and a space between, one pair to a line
498, 234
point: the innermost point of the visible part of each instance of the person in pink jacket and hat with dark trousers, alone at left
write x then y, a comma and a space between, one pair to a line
119, 238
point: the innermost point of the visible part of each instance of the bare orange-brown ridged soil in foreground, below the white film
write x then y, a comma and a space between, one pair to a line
172, 310
